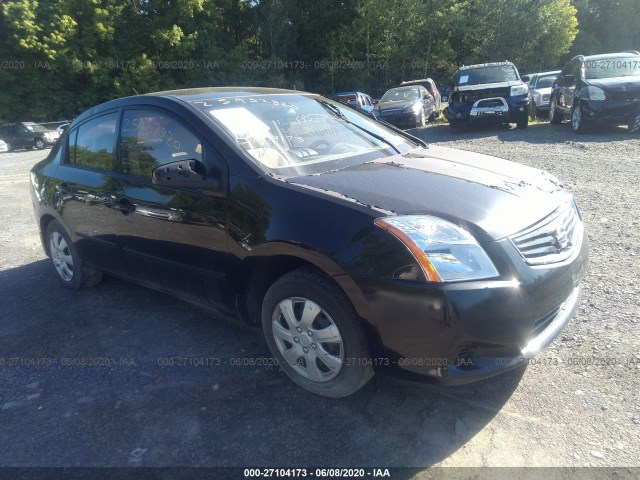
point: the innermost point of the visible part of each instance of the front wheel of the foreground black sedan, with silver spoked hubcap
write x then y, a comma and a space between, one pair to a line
307, 285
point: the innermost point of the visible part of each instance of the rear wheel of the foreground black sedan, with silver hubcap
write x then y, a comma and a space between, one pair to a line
81, 275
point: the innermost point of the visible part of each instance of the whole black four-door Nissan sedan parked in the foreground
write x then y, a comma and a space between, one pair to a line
357, 248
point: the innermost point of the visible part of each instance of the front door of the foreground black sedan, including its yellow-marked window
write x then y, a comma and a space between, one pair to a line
172, 238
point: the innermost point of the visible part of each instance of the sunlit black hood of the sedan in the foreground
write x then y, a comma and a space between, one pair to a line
492, 197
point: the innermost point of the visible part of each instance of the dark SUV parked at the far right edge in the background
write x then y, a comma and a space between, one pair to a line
597, 89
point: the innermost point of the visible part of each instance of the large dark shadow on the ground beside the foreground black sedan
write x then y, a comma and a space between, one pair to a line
120, 375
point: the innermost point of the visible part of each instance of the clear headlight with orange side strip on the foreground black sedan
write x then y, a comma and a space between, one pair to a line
445, 251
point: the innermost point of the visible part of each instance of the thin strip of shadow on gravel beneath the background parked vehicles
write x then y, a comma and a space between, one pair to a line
537, 133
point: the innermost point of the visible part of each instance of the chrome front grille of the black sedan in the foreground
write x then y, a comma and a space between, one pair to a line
552, 239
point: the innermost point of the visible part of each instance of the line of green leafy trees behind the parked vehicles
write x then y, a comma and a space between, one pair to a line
59, 57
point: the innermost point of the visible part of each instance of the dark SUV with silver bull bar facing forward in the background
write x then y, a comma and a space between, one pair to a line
489, 92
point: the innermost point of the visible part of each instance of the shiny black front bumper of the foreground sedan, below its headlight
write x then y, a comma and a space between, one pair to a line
464, 332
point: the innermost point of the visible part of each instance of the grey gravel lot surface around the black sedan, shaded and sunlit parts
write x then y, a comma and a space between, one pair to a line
576, 405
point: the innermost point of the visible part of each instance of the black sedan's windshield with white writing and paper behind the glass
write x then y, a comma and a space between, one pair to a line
292, 135
